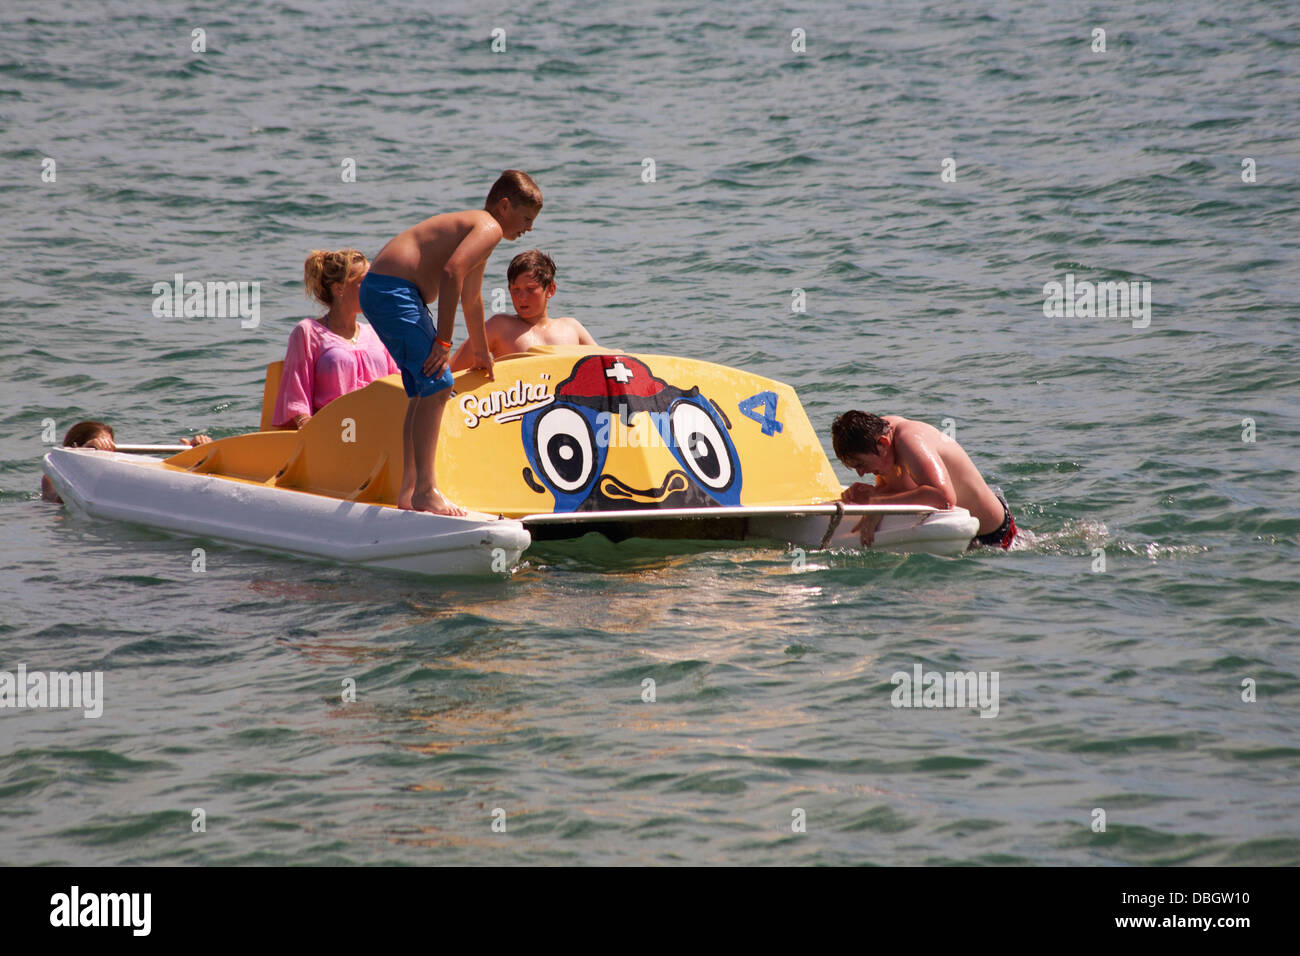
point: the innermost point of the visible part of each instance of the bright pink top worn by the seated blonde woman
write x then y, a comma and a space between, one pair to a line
320, 366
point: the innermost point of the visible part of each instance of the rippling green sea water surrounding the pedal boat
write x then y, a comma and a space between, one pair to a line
1169, 451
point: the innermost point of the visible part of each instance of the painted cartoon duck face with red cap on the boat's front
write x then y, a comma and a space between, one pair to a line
618, 438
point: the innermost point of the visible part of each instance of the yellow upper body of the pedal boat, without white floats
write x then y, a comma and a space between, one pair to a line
557, 431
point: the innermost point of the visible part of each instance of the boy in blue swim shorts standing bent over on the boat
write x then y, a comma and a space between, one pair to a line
441, 259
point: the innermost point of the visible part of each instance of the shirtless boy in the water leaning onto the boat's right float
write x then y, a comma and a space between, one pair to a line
916, 464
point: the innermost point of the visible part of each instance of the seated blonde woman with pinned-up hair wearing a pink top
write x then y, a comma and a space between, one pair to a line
335, 354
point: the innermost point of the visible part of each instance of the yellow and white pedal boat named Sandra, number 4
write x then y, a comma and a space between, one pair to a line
565, 442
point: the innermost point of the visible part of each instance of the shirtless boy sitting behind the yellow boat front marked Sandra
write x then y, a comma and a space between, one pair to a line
532, 284
